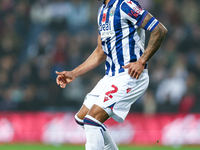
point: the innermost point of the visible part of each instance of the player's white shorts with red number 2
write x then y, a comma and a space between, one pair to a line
116, 94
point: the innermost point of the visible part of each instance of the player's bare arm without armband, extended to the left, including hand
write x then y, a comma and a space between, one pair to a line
94, 60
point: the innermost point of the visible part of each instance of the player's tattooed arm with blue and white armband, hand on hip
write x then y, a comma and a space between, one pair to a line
158, 33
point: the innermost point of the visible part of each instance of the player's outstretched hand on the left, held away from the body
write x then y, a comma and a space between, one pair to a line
64, 78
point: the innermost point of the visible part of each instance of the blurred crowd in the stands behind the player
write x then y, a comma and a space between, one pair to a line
39, 37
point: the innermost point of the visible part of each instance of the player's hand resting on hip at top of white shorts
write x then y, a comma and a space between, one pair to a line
135, 69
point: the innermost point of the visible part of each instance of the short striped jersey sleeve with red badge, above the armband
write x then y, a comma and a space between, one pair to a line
133, 12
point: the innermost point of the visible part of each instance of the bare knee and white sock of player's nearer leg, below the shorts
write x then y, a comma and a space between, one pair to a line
93, 124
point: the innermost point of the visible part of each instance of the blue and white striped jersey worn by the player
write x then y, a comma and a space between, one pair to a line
122, 38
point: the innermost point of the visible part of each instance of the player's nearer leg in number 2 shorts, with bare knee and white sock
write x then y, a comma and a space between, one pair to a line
122, 90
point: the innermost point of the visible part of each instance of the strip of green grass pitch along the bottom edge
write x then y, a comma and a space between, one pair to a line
81, 147
